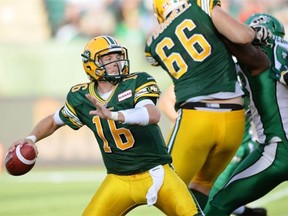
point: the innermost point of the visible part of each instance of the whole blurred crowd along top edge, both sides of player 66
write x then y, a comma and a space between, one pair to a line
133, 20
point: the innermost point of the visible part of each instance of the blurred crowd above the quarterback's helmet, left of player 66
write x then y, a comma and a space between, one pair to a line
124, 19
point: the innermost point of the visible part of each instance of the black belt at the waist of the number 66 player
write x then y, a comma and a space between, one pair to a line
193, 105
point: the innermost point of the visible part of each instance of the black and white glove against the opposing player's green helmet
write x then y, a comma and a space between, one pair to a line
262, 35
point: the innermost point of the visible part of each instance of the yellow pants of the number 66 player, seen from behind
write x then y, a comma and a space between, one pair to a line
203, 142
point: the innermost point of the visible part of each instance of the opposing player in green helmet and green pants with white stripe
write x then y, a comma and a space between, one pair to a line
266, 167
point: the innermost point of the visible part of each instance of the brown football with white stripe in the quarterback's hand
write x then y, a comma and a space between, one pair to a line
21, 160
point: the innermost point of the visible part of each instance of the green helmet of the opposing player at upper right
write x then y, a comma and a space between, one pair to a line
267, 20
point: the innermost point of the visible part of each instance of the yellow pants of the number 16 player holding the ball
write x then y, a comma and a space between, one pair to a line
118, 195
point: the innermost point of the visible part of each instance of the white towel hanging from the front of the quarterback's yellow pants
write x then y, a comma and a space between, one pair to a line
157, 174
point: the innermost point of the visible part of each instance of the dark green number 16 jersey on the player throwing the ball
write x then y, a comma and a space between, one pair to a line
126, 149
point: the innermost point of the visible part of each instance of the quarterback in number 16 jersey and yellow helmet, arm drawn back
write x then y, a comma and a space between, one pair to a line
124, 123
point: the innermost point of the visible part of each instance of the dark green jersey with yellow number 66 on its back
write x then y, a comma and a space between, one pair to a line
189, 48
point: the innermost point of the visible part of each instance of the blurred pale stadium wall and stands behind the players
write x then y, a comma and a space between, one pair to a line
40, 46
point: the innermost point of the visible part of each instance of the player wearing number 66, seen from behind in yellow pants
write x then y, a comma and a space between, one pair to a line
188, 44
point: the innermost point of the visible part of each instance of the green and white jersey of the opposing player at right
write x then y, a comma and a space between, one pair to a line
269, 98
